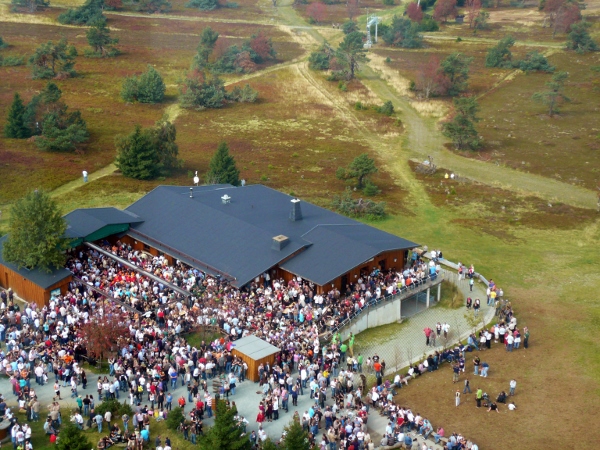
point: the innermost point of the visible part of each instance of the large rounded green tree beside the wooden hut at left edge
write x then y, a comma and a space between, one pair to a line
35, 233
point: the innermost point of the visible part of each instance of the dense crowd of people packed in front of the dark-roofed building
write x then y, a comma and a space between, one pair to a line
155, 356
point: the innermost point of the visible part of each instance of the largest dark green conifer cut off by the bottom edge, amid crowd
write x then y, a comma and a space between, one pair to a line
225, 434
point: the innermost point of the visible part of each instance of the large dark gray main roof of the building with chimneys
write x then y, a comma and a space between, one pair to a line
236, 238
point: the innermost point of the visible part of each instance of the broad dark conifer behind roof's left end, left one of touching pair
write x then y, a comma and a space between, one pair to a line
136, 155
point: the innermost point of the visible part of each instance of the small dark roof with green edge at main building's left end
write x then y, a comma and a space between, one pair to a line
83, 222
